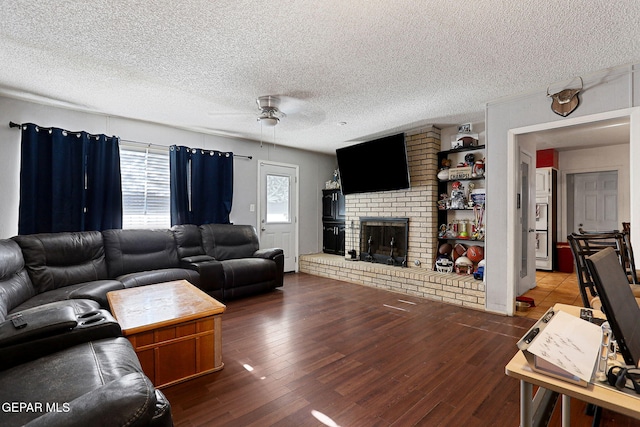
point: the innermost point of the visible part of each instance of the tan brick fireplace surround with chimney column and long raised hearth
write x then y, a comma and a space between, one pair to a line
418, 205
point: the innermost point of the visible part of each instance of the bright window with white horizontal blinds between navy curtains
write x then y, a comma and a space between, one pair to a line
145, 187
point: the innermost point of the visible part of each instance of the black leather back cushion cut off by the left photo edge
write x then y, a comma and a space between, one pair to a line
15, 285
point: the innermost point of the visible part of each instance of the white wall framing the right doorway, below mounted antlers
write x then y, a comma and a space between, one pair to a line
608, 92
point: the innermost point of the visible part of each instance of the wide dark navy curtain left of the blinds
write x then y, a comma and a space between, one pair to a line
69, 181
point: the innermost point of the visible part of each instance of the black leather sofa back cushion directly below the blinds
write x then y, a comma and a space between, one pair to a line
130, 251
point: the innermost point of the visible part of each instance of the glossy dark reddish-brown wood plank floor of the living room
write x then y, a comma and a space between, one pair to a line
324, 352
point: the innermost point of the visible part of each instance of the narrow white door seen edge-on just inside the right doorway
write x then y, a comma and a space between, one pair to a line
526, 209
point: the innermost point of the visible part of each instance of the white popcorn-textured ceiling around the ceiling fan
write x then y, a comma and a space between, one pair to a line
380, 66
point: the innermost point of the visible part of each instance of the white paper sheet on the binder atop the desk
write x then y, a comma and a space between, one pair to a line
569, 343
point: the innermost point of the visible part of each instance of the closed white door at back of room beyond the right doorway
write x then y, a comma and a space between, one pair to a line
595, 201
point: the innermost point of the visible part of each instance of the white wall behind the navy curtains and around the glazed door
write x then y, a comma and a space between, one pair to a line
315, 168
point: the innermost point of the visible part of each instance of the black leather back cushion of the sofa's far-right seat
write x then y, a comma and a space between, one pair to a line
227, 241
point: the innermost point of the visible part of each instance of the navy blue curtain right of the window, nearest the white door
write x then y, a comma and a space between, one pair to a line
201, 186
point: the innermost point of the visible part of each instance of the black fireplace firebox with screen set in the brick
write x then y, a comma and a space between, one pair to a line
384, 240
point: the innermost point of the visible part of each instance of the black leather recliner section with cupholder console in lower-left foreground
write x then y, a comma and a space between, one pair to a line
65, 364
